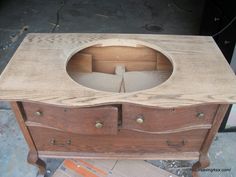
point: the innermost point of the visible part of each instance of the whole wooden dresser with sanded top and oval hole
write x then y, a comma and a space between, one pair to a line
131, 115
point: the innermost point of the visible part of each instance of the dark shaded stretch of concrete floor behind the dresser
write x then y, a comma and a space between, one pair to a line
17, 18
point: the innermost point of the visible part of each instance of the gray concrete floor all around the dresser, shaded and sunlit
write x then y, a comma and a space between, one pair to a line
17, 18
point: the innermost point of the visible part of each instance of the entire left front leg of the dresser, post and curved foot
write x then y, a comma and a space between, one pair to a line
32, 155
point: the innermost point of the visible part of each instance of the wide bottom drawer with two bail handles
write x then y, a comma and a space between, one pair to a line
124, 142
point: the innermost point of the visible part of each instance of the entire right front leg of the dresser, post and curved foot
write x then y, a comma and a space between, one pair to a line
203, 157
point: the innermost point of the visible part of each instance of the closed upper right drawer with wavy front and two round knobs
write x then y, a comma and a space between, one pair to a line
141, 118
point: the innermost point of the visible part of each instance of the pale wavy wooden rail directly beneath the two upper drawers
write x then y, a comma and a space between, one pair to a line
182, 129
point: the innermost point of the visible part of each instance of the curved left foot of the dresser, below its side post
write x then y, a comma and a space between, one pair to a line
35, 160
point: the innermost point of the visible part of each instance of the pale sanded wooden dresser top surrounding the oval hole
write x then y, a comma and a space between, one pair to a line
37, 71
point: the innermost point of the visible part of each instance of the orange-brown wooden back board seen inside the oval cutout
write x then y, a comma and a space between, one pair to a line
139, 58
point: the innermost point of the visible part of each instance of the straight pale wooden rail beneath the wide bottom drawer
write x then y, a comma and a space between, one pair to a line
137, 156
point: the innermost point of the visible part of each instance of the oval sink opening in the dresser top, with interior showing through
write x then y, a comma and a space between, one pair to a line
119, 68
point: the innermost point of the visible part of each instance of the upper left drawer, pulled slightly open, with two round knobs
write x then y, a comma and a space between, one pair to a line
90, 121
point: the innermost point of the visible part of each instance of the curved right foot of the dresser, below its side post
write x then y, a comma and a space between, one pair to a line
203, 162
